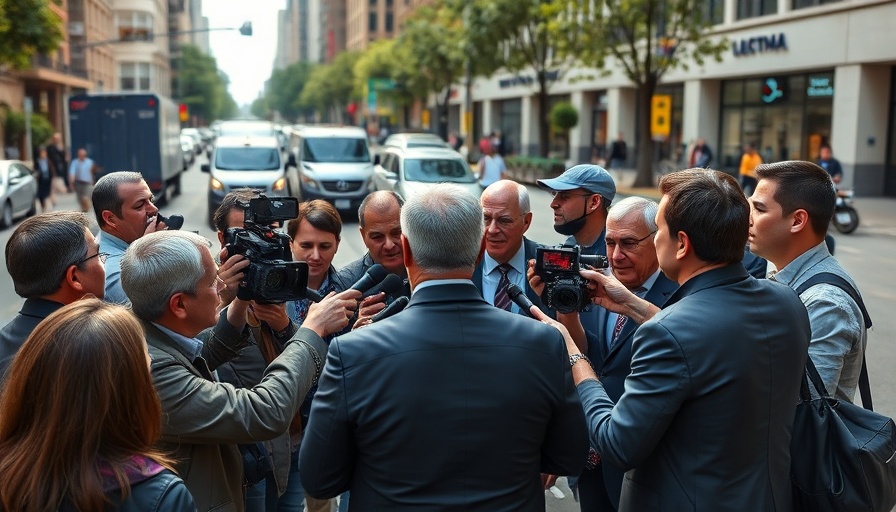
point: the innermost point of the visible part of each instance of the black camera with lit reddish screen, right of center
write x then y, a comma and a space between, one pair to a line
558, 267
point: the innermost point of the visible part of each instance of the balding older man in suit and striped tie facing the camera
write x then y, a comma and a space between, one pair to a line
507, 216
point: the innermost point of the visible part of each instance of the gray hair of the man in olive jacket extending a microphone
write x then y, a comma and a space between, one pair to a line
158, 265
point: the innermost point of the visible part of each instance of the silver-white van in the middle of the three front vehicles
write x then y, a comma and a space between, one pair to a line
334, 164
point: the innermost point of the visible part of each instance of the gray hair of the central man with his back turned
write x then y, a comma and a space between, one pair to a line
444, 228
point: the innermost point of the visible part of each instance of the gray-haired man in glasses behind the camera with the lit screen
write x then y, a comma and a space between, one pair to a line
631, 226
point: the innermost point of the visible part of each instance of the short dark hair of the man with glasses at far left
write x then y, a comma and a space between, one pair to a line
41, 250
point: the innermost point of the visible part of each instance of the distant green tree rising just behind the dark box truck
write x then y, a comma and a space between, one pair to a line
203, 87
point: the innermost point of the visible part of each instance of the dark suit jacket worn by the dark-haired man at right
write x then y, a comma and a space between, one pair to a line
705, 420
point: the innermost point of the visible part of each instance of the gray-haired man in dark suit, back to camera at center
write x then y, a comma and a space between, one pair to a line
452, 404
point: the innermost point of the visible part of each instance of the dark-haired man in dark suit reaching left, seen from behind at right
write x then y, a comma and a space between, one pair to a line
705, 420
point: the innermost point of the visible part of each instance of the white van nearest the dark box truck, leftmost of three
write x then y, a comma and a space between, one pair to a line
249, 162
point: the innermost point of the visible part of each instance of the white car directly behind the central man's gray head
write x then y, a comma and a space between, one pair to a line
410, 171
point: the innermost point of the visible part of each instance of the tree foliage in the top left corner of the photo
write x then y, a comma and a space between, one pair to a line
27, 28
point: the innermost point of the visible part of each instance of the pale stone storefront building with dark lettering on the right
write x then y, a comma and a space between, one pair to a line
798, 74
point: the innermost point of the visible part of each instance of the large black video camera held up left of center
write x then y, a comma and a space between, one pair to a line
271, 277
